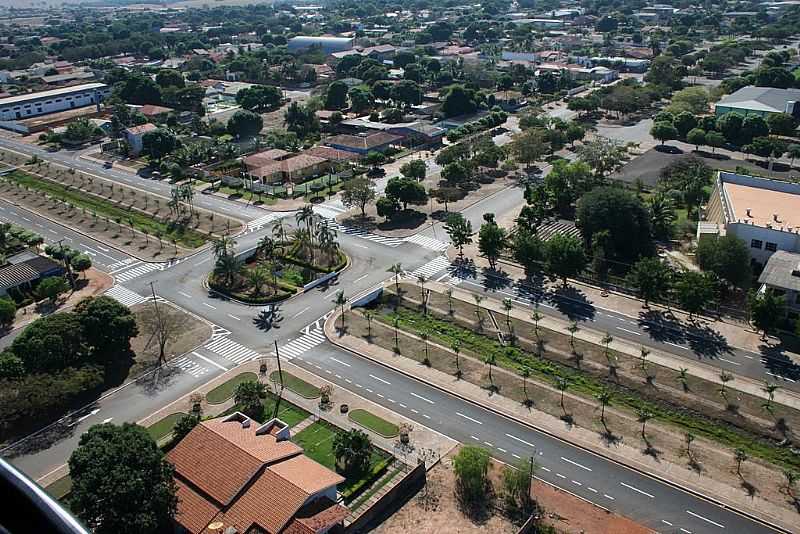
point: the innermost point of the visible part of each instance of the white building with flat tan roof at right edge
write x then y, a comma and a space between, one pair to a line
763, 213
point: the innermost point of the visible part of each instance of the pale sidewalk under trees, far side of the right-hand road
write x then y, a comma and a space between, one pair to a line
737, 333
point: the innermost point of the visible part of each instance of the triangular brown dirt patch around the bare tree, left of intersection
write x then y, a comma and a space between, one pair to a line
186, 333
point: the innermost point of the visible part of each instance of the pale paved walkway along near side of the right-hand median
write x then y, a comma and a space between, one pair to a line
622, 453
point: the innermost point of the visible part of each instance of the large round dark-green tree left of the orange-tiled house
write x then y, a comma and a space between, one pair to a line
121, 483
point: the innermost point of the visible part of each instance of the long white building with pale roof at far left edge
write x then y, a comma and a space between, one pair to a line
46, 102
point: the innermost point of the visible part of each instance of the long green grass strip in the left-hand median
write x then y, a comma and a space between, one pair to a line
105, 208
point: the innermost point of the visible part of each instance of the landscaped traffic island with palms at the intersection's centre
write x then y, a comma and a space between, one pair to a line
279, 266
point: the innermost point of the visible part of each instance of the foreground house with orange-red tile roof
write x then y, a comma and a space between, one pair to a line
235, 475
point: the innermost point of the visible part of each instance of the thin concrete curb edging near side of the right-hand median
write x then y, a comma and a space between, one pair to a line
515, 419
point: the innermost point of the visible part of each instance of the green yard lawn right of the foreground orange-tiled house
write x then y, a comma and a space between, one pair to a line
317, 442
